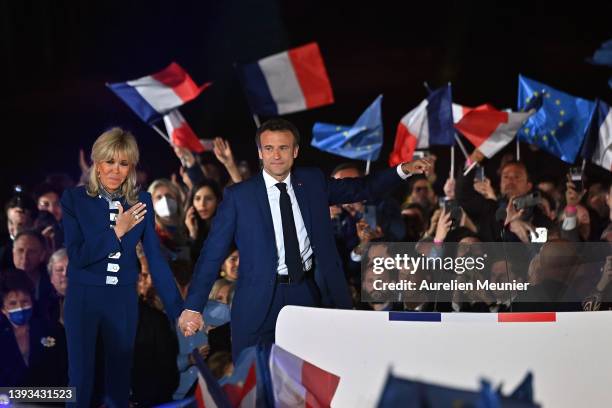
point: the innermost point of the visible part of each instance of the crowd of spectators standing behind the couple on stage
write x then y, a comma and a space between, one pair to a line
470, 209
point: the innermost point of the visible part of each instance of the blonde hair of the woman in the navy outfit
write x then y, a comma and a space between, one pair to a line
107, 146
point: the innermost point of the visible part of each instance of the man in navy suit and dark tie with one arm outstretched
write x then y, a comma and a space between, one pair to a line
279, 220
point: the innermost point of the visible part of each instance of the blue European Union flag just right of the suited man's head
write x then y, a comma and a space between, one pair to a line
362, 141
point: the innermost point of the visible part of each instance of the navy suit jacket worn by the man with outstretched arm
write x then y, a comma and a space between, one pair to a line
244, 217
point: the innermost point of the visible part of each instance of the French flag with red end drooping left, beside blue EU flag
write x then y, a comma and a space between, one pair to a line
429, 124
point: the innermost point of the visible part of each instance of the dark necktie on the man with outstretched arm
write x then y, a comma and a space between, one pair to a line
293, 259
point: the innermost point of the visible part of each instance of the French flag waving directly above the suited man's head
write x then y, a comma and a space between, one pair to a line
290, 81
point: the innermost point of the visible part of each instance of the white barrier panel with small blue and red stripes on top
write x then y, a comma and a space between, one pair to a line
570, 354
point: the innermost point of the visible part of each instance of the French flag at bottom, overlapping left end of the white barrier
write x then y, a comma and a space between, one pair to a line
297, 383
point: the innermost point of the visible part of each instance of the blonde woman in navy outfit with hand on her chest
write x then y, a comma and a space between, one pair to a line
103, 267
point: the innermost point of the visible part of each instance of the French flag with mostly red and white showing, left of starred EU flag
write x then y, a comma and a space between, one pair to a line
487, 128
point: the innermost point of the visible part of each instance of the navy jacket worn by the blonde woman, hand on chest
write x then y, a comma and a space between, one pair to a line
89, 241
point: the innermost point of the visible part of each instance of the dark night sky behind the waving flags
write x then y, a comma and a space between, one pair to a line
57, 55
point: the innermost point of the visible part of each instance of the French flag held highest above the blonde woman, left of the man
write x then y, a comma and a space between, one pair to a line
153, 96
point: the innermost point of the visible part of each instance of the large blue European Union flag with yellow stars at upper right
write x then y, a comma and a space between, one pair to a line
560, 124
